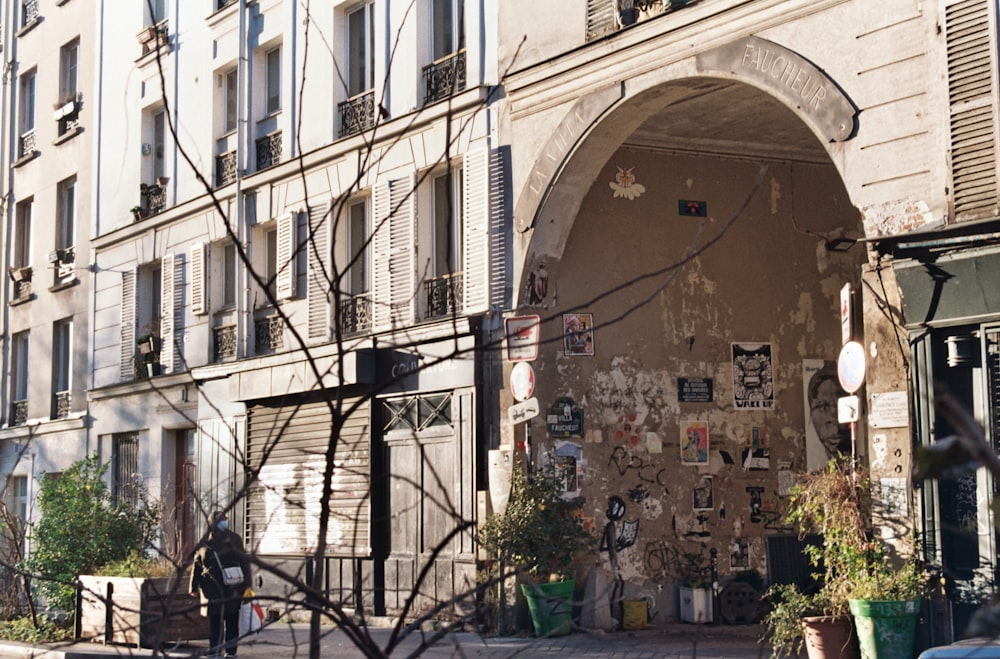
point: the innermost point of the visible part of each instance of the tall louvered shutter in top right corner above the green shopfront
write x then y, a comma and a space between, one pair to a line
971, 35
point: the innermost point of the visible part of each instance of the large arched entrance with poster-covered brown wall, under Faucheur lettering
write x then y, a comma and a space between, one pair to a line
686, 259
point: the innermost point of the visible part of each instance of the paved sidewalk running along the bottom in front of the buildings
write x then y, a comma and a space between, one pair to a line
280, 640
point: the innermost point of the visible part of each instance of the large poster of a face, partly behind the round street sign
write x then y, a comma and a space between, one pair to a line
825, 436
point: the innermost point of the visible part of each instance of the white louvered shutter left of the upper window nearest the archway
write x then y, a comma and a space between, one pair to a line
394, 244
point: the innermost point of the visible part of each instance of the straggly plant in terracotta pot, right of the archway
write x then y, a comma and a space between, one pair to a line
831, 502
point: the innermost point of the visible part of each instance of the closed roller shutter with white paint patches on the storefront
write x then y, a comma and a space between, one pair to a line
283, 508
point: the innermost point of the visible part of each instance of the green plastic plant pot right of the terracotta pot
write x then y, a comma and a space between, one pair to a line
885, 627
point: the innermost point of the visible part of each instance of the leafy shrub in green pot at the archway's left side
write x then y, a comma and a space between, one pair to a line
540, 534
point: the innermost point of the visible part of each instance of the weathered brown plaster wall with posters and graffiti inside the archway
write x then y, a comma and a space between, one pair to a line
756, 271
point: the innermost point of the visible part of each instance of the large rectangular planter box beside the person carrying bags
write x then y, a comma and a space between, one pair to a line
139, 612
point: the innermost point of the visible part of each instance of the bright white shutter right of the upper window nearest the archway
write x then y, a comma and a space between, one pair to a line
476, 231
